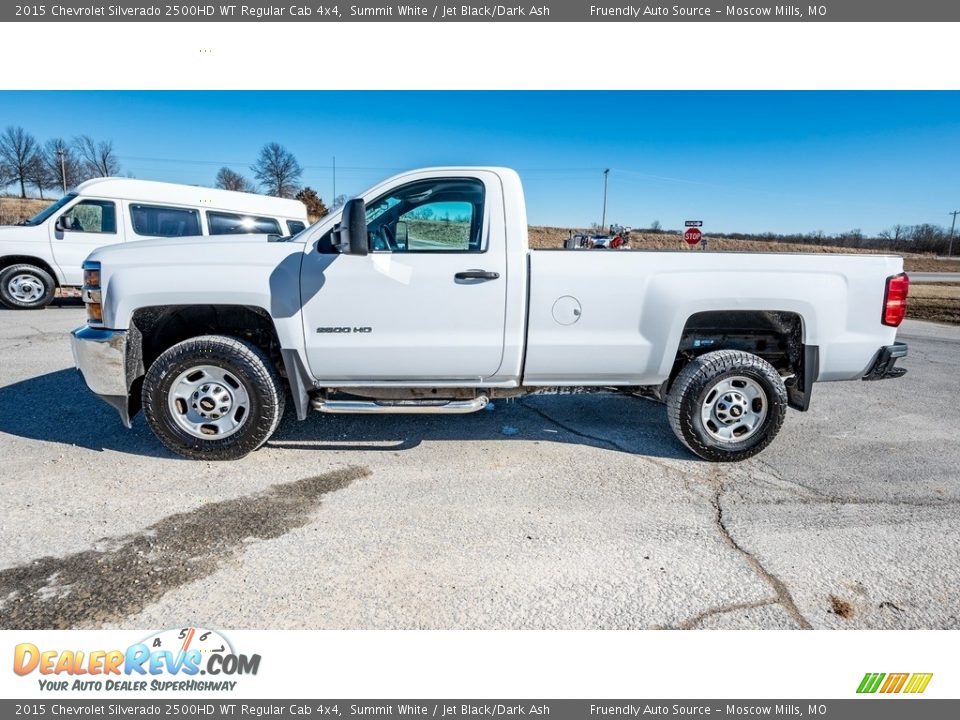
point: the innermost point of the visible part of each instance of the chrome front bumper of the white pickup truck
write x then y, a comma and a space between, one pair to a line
101, 357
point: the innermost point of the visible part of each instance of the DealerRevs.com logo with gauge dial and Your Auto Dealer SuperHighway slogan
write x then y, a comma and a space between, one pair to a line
169, 660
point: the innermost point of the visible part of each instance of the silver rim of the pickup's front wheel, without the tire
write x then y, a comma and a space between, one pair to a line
208, 402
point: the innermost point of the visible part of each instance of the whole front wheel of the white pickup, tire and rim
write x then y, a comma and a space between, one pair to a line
213, 398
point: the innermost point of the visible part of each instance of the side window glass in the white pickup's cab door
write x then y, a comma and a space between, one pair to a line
440, 215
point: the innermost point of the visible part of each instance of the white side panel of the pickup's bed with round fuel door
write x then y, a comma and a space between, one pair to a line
599, 317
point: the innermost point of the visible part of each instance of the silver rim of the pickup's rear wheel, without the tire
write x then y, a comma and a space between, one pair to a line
734, 409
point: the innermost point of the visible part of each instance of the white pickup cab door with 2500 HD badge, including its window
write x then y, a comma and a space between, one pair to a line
428, 301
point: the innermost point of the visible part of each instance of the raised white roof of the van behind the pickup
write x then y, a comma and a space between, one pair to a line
150, 191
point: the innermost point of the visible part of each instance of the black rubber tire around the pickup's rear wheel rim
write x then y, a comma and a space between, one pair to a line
692, 388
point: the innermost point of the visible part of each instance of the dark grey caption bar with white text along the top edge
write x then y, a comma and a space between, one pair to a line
549, 11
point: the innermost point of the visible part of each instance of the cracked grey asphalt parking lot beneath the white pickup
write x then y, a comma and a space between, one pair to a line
578, 511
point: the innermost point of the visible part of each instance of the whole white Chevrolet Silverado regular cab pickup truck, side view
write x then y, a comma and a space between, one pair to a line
422, 296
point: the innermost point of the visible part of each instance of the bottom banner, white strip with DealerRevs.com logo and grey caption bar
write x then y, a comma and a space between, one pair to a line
454, 675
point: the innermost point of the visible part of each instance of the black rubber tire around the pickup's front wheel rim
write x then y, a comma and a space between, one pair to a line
241, 363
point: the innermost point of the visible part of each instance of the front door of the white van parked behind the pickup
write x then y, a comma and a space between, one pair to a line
87, 225
